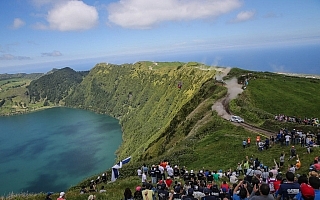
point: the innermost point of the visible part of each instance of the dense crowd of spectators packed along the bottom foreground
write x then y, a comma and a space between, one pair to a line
257, 182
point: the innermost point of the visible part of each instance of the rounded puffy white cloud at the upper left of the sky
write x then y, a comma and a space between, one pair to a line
71, 16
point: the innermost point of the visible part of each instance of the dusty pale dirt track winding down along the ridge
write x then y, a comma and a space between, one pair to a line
222, 105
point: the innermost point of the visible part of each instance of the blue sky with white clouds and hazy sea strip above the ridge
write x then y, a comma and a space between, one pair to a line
37, 35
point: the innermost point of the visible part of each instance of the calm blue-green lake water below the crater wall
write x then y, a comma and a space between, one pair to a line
54, 149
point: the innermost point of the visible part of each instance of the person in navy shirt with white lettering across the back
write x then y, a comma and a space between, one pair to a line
289, 189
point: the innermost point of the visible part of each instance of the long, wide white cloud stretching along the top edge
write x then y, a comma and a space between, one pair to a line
147, 13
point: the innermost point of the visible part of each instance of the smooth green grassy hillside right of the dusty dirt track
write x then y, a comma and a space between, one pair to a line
270, 94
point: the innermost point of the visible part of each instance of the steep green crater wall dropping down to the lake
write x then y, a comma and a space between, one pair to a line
150, 100
